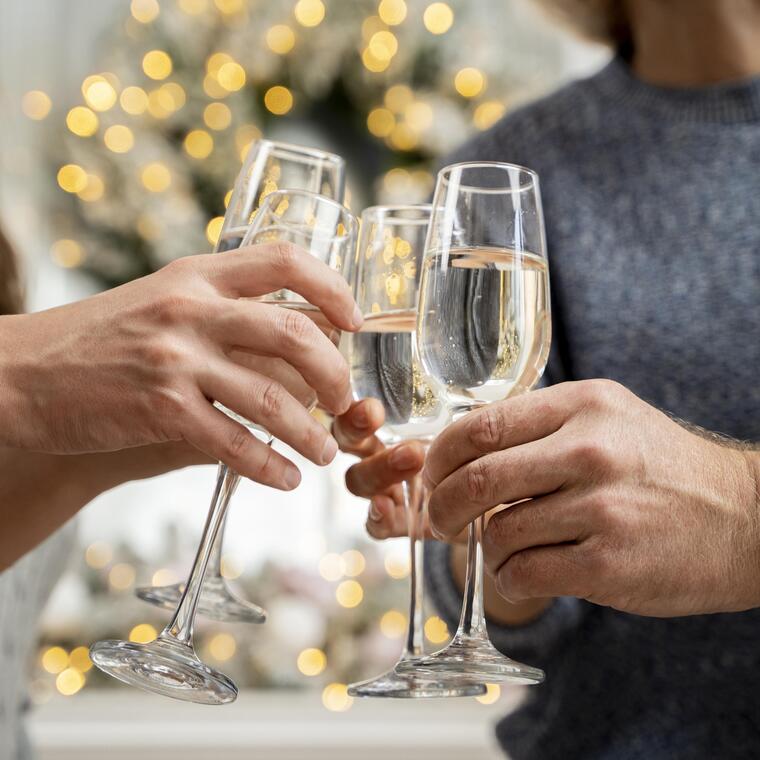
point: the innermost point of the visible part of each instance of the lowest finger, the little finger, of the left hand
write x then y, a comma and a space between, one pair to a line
225, 440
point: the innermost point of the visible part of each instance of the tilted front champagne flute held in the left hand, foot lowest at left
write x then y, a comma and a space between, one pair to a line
169, 665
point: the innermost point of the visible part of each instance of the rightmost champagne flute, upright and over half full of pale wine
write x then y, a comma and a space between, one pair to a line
483, 335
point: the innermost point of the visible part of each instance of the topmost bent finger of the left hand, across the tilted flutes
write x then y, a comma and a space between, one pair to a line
260, 269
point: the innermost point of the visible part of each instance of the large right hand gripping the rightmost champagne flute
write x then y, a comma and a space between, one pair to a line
627, 508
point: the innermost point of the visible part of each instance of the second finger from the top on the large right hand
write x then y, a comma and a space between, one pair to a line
500, 478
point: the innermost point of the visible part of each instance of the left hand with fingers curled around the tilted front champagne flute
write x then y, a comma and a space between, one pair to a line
139, 364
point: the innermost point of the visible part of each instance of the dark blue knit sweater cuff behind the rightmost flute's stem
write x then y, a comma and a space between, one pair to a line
533, 643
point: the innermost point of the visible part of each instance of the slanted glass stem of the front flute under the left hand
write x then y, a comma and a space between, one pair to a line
180, 629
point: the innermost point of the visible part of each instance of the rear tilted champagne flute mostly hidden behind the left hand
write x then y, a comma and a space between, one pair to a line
268, 167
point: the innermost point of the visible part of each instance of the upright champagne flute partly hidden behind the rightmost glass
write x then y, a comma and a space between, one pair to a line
383, 365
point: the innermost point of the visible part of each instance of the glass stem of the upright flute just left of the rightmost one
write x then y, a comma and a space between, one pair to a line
415, 499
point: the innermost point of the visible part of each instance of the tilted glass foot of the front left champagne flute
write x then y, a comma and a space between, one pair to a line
165, 668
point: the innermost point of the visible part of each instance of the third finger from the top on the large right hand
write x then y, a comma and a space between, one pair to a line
554, 519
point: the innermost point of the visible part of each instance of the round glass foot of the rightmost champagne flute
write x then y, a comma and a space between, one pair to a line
476, 659
